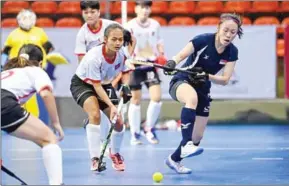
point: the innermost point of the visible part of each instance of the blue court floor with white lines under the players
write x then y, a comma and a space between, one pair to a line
234, 154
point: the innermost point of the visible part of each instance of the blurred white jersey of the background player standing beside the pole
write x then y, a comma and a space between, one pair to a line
147, 38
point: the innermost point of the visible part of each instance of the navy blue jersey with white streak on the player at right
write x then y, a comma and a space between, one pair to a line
207, 57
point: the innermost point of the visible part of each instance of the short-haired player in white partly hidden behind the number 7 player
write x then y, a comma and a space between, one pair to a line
92, 32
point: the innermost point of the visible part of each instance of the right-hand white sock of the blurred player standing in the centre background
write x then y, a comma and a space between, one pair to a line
153, 113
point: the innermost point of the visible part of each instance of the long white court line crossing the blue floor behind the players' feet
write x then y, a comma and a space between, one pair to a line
145, 148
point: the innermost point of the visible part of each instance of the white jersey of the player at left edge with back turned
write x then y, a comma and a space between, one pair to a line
24, 82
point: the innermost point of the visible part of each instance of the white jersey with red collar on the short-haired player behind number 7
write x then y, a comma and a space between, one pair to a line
87, 38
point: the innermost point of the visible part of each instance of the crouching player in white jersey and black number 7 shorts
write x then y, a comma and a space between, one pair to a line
92, 89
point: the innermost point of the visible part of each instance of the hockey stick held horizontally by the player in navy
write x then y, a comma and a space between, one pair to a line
192, 71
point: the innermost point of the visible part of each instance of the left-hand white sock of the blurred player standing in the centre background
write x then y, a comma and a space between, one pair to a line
134, 118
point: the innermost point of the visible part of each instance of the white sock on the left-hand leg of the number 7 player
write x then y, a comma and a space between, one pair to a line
93, 139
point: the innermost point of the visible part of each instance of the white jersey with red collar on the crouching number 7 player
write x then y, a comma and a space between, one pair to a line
95, 67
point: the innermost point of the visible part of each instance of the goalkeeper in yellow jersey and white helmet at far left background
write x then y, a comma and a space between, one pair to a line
28, 33
